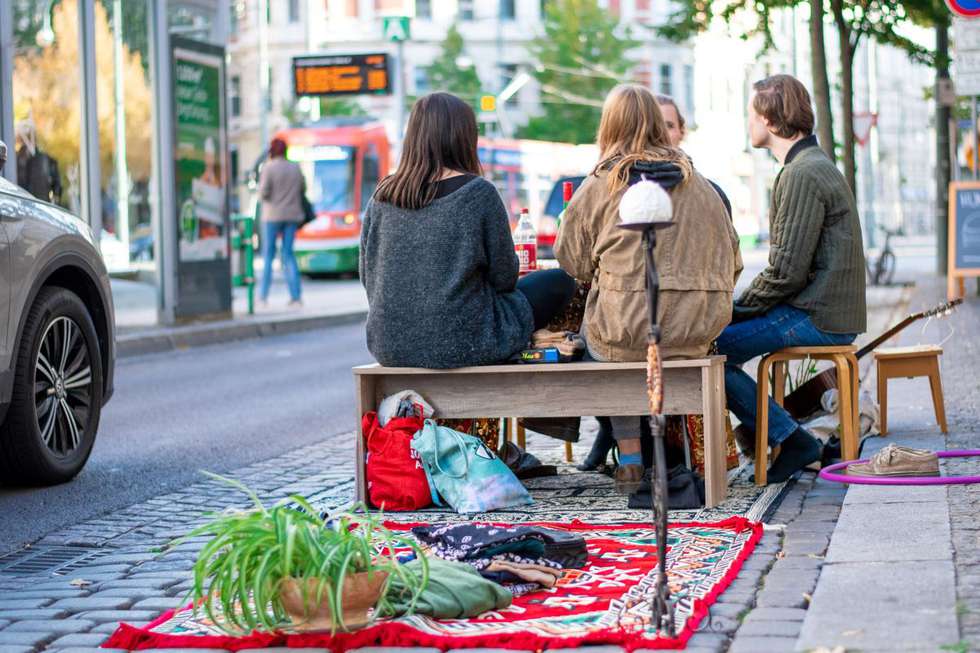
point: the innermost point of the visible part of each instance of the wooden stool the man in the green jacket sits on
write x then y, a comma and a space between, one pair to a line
847, 381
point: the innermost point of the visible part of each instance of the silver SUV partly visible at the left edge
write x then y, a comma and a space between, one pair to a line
57, 339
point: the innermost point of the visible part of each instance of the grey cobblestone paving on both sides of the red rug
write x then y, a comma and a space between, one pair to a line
116, 568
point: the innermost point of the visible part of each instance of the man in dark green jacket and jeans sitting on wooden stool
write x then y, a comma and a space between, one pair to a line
812, 291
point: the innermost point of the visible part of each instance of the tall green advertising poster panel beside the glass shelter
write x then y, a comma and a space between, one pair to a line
201, 179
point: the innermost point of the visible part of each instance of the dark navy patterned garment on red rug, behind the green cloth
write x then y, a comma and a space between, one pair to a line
468, 541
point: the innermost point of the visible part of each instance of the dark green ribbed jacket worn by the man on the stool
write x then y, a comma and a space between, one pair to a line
816, 255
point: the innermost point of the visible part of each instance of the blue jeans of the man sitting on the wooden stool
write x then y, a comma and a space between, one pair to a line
783, 326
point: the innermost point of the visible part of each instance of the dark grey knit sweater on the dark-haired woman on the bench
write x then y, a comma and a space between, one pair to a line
441, 282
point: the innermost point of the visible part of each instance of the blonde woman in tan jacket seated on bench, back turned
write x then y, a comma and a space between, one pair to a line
697, 257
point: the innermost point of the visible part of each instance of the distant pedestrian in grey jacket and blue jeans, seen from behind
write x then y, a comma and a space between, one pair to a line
281, 187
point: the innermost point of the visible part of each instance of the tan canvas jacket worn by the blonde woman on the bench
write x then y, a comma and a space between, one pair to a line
697, 258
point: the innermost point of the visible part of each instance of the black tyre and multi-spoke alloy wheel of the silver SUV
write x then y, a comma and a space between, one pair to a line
57, 396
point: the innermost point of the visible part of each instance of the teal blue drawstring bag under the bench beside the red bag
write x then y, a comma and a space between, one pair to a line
465, 473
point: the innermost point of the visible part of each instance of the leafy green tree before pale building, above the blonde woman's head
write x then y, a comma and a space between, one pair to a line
580, 57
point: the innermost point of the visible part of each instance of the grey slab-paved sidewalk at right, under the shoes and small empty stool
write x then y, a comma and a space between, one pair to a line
901, 570
